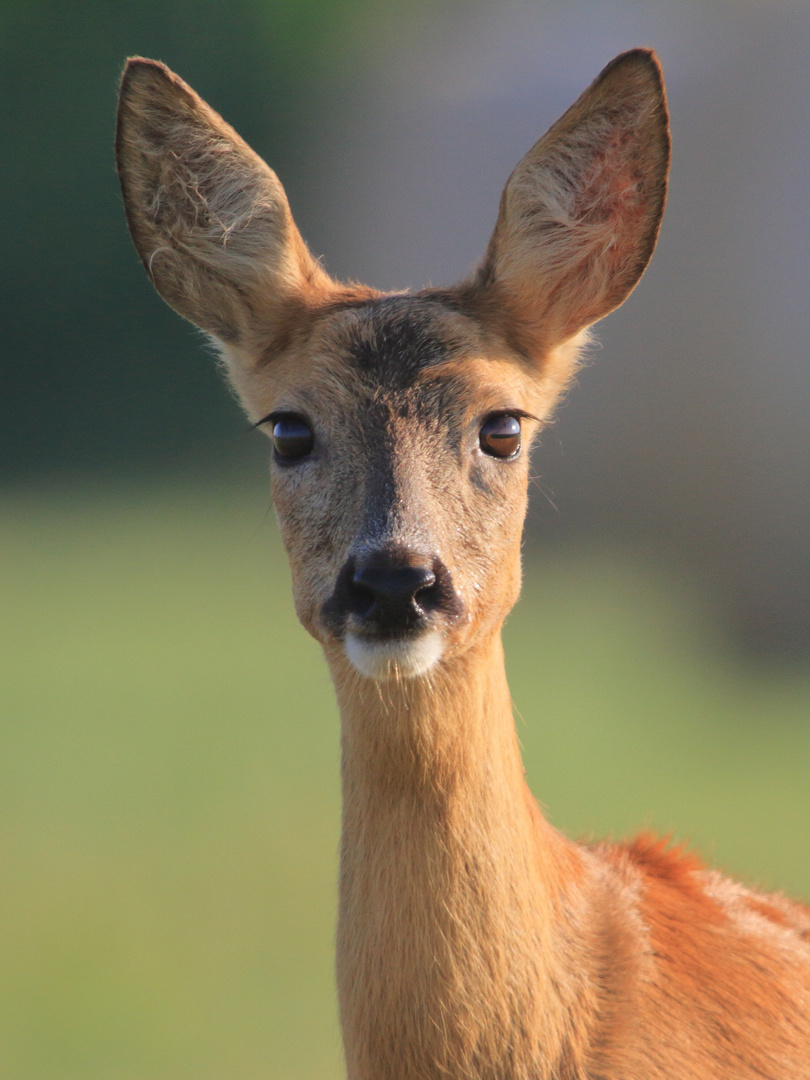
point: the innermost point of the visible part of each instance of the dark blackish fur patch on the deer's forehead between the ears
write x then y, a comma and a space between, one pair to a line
393, 340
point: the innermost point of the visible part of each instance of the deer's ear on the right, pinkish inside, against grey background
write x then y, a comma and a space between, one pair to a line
580, 214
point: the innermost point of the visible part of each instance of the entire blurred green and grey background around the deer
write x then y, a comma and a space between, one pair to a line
169, 794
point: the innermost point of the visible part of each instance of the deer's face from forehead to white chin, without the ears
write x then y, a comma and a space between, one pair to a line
399, 470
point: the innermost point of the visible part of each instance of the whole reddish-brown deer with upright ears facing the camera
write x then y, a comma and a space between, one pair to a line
475, 941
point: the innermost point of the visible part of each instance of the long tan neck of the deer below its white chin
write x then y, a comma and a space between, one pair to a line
451, 956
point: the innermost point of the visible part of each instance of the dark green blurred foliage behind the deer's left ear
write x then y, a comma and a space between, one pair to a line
99, 376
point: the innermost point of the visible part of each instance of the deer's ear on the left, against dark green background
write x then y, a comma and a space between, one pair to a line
210, 220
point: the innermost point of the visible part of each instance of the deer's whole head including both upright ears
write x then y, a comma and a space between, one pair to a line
401, 425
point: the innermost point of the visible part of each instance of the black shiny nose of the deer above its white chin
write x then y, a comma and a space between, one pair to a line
391, 591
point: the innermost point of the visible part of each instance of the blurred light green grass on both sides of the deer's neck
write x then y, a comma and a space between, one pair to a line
169, 788
